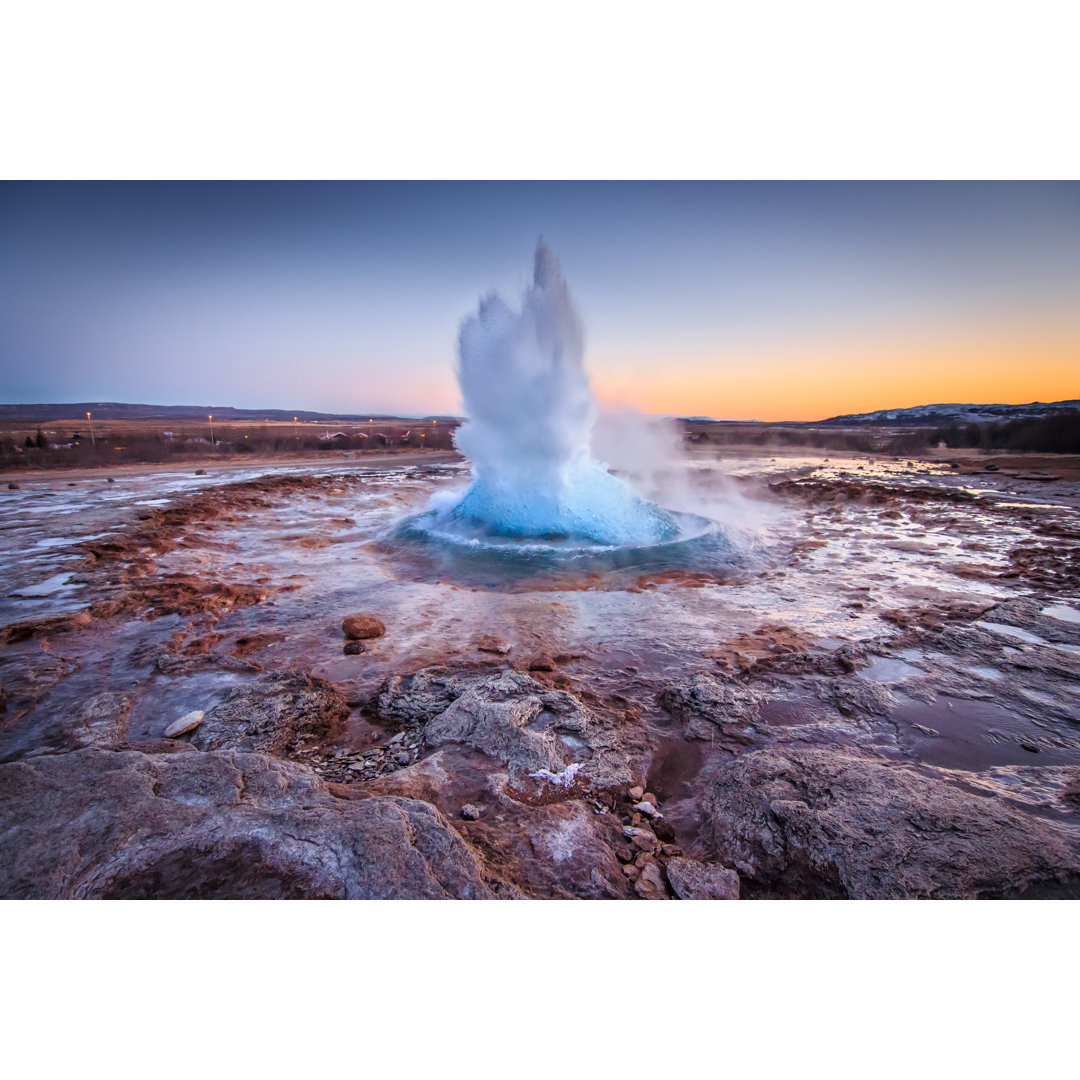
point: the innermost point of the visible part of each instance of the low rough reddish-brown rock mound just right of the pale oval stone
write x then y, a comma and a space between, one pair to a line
274, 714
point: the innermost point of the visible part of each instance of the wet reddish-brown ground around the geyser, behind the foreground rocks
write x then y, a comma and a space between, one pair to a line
894, 606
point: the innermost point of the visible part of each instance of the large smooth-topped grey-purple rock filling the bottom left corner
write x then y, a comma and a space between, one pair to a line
217, 826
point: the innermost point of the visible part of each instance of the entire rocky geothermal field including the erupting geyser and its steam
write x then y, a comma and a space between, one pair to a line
579, 659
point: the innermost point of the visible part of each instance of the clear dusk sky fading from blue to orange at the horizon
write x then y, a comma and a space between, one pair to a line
738, 301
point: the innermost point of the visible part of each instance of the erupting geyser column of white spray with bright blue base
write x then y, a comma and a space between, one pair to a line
531, 415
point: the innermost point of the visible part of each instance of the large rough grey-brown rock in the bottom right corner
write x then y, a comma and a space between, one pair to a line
833, 823
